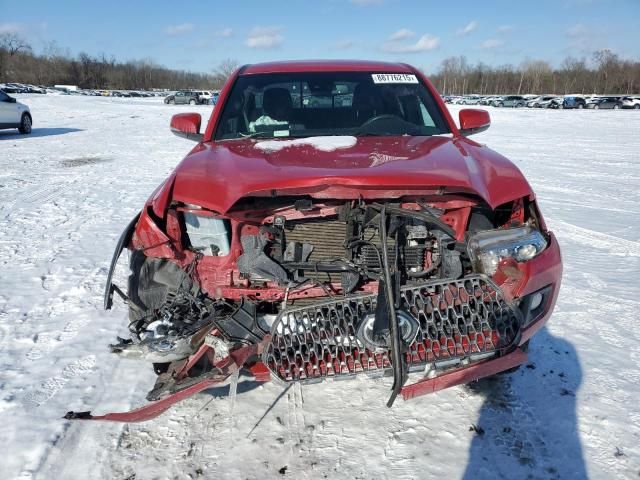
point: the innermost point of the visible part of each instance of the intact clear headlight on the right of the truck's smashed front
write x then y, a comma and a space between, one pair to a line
487, 248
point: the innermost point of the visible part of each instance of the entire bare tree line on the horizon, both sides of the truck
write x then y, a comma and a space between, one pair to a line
605, 72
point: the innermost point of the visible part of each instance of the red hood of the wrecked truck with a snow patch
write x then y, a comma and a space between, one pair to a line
216, 175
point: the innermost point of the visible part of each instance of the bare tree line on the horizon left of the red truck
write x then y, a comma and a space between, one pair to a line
18, 63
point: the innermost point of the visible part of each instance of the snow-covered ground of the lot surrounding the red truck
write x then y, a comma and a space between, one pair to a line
68, 190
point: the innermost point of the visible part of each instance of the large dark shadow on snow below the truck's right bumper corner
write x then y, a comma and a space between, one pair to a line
527, 427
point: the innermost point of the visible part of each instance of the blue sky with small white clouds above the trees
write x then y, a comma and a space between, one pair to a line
196, 35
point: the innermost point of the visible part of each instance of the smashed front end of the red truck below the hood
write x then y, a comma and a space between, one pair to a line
433, 290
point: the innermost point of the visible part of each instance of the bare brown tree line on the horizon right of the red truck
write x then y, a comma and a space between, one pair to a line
604, 73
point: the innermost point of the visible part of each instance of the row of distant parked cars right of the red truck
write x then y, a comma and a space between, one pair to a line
548, 101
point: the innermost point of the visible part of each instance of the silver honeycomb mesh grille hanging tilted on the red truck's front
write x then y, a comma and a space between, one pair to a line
457, 318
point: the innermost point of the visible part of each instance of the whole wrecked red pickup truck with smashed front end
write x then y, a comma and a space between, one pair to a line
332, 221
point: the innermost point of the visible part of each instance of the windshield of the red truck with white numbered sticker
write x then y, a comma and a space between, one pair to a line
328, 103
